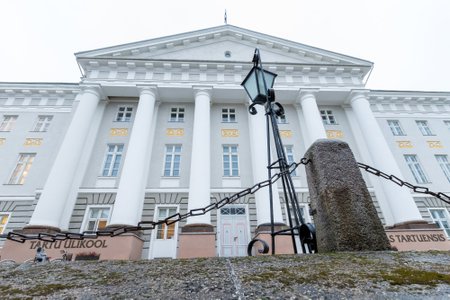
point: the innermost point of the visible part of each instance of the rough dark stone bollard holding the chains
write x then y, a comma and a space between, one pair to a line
343, 211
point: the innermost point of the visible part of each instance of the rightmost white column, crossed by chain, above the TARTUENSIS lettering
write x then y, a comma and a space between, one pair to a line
401, 203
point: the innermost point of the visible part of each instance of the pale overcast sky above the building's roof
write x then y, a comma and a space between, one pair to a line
408, 40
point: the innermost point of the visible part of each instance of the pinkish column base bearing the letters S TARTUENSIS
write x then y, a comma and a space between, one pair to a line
417, 236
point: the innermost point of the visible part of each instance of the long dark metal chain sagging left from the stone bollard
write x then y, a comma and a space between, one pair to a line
150, 225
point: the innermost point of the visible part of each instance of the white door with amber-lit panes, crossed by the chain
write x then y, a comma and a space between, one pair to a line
164, 237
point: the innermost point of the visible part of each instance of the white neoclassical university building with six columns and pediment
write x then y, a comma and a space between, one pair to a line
161, 126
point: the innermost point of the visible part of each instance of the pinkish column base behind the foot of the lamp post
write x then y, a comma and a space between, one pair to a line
283, 243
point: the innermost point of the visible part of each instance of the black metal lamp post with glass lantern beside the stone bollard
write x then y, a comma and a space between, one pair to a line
259, 86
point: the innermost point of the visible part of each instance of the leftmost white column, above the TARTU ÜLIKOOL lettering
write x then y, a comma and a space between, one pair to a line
52, 202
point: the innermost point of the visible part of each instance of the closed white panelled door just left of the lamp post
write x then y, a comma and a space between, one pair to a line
234, 231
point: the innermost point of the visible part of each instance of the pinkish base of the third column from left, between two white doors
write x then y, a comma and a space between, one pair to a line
197, 240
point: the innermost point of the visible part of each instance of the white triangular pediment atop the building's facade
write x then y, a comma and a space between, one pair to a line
223, 43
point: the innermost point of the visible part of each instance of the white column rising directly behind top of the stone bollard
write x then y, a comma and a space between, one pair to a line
311, 114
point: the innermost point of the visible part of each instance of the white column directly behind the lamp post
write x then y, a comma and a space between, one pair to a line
258, 146
